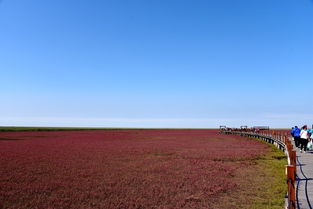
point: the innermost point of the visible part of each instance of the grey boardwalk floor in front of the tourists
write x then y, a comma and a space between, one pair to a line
304, 192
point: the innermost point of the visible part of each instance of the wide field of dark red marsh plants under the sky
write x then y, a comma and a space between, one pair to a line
120, 168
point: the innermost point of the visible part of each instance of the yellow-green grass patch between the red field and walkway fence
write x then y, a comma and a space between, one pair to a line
261, 185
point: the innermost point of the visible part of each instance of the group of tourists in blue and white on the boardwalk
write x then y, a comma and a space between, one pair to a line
303, 137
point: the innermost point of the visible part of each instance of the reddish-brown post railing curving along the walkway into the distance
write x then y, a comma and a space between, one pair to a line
279, 138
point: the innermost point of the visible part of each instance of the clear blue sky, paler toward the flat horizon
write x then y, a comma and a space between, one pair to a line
156, 63
